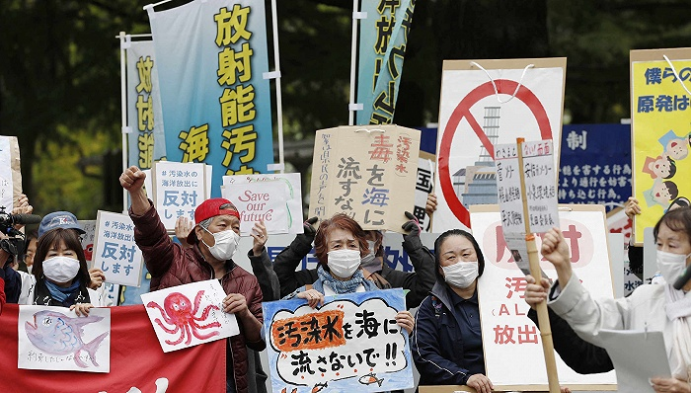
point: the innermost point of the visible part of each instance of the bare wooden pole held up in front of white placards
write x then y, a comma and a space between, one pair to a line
535, 267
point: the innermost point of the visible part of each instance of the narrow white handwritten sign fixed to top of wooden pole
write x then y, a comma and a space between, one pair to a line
541, 189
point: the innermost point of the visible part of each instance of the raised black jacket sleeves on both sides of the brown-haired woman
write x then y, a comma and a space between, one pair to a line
419, 283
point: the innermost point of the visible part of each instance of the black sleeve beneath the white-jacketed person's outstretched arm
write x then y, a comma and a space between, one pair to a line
583, 357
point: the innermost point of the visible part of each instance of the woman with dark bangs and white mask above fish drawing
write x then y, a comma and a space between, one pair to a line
62, 274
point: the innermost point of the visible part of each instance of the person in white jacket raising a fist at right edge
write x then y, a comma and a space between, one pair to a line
654, 307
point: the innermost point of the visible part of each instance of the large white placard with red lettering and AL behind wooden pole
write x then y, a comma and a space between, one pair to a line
508, 334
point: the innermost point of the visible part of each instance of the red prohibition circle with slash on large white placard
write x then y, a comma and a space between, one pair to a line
463, 111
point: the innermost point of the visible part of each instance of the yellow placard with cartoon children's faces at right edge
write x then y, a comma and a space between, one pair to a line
660, 133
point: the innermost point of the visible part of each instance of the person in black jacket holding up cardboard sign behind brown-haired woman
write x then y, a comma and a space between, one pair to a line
418, 283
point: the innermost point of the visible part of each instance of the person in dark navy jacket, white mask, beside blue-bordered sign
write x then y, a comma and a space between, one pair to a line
446, 343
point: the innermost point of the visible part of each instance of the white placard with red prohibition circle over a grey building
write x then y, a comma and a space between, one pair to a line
483, 103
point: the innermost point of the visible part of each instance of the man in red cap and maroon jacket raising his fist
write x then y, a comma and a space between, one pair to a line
215, 239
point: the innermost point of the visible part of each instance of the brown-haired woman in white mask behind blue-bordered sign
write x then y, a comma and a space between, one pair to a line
340, 243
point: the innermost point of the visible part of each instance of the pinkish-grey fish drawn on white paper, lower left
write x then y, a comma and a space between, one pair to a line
55, 333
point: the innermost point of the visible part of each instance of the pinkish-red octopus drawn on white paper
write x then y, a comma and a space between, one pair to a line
177, 311
